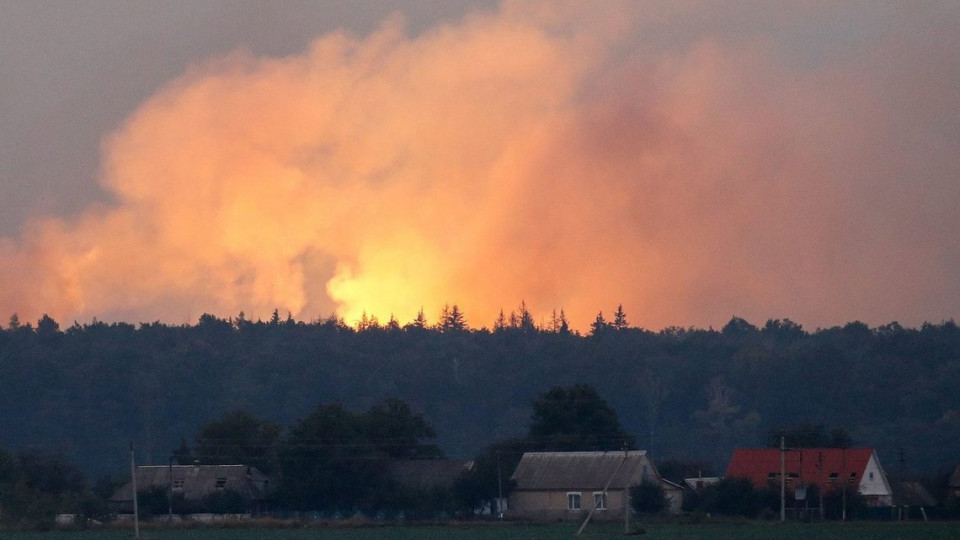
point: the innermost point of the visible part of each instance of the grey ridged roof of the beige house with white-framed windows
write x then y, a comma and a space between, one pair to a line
582, 470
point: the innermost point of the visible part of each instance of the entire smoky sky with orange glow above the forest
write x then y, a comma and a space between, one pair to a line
691, 161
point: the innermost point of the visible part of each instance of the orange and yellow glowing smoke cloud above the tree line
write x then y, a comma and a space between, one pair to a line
556, 155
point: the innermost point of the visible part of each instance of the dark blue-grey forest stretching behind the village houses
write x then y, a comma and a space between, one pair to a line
86, 392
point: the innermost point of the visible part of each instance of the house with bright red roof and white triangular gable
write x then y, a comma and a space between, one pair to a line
827, 468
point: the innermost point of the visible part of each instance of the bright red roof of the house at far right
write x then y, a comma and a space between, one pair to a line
807, 465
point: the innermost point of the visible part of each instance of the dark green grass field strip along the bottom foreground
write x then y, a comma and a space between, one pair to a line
724, 531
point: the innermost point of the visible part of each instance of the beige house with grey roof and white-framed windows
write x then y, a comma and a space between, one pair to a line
569, 485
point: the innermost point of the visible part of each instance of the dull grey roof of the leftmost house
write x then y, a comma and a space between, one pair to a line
197, 481
